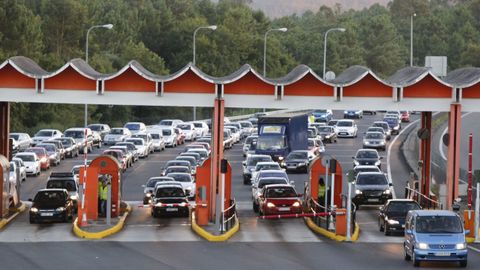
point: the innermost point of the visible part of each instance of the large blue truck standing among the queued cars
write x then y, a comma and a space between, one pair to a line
280, 134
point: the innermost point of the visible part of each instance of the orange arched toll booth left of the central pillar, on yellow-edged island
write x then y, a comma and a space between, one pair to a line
100, 166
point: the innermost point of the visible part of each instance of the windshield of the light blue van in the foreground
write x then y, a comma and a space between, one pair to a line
439, 224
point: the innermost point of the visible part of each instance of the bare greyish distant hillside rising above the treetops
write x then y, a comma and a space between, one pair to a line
279, 8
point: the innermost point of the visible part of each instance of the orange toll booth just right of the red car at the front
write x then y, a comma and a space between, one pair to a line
318, 170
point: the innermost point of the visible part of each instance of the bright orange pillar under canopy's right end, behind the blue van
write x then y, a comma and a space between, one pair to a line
453, 160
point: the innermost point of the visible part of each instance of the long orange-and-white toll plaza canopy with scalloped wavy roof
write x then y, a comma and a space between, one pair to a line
411, 88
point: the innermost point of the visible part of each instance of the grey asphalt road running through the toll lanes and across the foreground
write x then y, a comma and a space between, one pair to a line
169, 243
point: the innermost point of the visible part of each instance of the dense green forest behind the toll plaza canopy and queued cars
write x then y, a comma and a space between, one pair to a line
159, 33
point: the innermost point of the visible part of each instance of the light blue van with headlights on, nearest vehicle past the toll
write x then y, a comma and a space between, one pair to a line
435, 235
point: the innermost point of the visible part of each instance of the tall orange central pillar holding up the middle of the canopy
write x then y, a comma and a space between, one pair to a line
217, 154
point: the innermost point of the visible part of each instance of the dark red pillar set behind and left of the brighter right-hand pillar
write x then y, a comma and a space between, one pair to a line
425, 154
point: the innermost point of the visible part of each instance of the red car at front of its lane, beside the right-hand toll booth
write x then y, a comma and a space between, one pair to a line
279, 199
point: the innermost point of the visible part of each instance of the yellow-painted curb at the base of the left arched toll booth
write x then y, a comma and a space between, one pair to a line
98, 229
